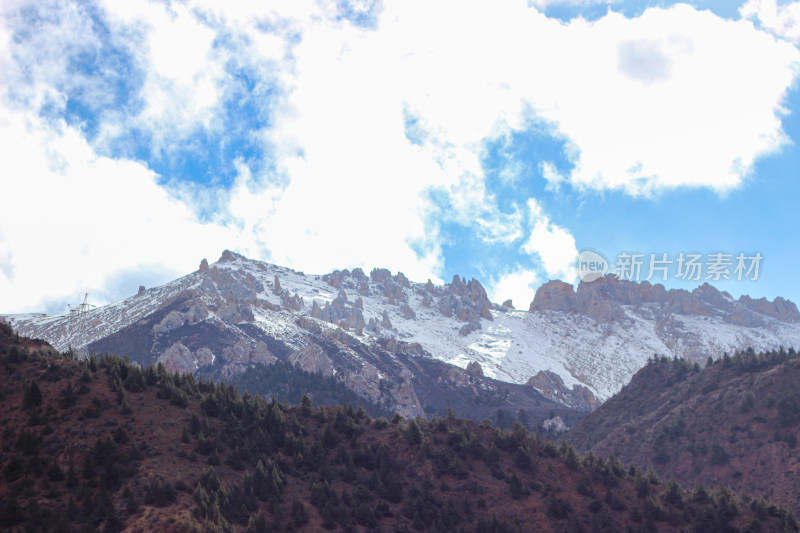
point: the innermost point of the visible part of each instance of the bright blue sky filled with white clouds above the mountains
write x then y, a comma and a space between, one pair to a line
495, 140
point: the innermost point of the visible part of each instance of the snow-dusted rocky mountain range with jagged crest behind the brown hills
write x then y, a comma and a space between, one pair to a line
374, 331
